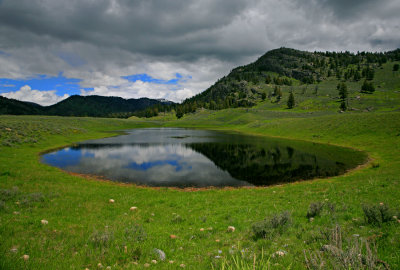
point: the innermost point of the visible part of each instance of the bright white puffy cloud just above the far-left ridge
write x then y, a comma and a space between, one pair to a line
45, 98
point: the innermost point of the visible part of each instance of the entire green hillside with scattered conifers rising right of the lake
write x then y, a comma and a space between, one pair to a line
312, 77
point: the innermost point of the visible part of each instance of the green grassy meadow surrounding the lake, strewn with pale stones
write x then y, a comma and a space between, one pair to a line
85, 229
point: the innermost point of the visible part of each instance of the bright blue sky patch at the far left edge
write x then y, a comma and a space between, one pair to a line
41, 82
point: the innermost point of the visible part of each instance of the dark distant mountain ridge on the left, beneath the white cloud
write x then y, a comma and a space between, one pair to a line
94, 106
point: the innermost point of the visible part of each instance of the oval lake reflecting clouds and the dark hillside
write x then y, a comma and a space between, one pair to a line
177, 157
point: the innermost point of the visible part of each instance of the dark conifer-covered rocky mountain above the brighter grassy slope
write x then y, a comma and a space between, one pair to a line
284, 70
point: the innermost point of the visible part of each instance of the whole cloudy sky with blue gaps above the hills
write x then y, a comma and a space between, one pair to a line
52, 49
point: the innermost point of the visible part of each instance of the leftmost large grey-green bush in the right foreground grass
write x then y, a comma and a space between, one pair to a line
267, 227
